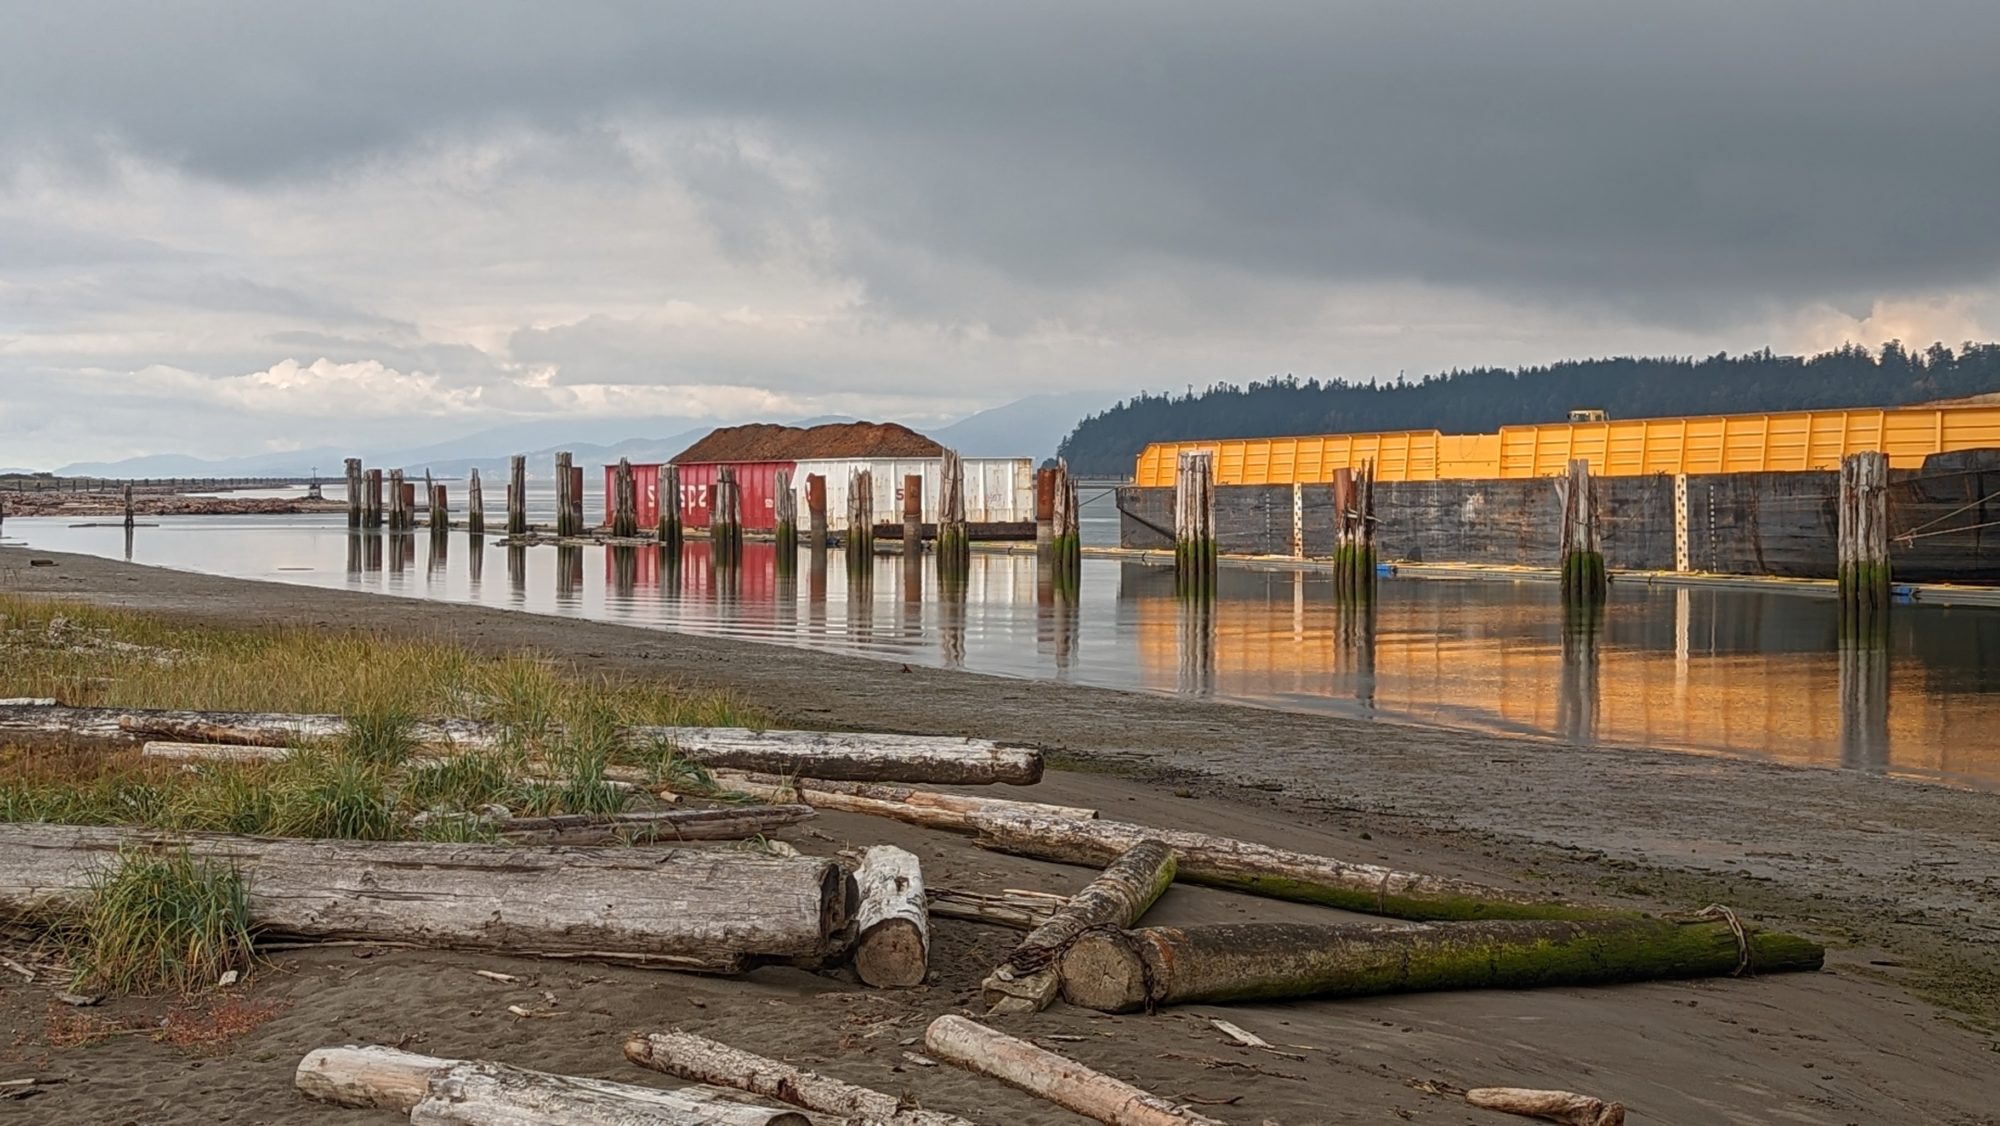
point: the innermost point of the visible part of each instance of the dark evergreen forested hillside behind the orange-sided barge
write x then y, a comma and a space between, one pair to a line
1485, 399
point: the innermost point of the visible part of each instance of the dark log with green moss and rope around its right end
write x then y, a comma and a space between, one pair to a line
1281, 961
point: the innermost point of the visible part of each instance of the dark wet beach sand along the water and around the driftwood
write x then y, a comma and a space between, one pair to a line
1901, 879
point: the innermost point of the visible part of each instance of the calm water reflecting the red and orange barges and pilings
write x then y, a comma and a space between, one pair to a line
1703, 671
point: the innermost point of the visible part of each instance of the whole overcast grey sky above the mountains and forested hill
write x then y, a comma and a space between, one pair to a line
249, 227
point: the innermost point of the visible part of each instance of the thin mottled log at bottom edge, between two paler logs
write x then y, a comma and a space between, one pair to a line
699, 1059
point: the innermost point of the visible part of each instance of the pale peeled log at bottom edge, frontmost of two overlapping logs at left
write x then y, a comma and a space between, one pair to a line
495, 1095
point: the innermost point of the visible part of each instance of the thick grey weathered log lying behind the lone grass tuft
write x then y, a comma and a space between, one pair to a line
685, 909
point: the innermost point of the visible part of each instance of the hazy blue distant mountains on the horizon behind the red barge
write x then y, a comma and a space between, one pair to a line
1031, 427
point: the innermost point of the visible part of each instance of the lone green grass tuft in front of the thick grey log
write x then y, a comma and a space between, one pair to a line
161, 923
